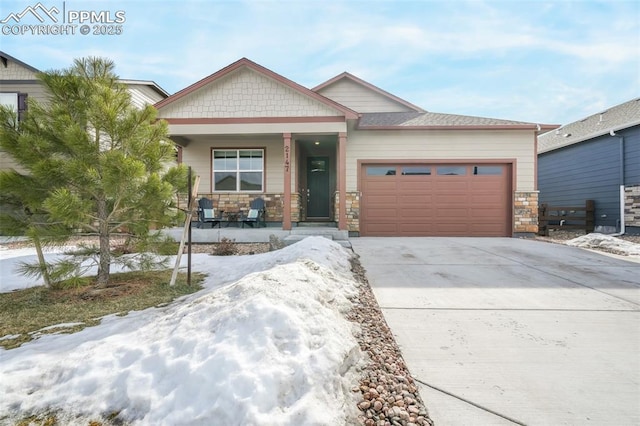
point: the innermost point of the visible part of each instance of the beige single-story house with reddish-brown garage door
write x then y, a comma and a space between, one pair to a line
350, 154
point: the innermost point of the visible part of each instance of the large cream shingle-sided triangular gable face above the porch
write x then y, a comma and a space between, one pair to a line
245, 93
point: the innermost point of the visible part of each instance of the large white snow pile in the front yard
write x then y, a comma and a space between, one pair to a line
266, 342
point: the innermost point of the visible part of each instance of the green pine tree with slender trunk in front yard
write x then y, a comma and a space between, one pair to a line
103, 161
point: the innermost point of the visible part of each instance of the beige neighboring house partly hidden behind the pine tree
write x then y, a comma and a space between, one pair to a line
18, 82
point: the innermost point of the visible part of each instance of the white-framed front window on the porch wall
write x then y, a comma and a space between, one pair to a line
236, 170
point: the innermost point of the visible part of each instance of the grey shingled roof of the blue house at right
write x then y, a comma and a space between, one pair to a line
610, 120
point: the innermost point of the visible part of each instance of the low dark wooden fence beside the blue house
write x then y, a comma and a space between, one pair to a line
574, 217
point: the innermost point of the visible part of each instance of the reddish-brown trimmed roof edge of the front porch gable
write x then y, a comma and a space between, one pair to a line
244, 62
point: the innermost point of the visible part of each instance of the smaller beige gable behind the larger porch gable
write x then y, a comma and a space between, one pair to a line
360, 98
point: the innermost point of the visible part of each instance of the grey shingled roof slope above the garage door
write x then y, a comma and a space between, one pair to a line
438, 121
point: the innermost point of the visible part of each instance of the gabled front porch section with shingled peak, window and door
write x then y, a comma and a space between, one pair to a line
249, 132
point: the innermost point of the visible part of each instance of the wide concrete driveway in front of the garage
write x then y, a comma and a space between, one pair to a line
503, 331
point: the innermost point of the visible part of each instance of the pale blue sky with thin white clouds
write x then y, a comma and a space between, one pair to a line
551, 62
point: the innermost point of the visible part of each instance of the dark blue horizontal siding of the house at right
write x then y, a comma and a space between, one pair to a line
587, 170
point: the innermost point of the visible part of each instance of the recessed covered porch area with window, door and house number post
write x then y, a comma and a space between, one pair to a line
300, 175
